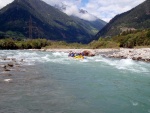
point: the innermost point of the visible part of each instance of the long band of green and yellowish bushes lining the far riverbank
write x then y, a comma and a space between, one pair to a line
128, 39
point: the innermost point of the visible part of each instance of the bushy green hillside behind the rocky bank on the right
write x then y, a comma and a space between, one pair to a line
128, 39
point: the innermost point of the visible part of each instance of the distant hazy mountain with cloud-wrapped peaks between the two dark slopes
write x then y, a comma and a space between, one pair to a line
92, 26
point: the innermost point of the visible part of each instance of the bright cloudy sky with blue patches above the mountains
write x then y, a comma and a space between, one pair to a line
103, 9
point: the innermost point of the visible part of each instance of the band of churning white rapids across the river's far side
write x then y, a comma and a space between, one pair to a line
33, 57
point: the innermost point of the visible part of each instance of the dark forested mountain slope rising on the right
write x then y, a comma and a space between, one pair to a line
134, 19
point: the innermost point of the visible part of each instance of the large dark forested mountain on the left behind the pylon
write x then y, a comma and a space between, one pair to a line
35, 18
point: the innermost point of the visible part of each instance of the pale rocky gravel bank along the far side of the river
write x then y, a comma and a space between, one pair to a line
142, 54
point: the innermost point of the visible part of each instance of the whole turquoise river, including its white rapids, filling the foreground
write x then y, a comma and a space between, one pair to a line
50, 82
